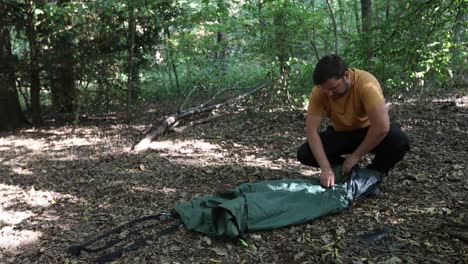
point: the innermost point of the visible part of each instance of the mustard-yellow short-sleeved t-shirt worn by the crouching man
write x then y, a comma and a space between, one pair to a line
349, 112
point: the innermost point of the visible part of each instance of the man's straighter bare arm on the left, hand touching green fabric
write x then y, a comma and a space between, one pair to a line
327, 178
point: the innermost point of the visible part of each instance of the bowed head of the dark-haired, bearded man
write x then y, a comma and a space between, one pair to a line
331, 75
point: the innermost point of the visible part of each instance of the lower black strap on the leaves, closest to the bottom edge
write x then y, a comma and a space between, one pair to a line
138, 243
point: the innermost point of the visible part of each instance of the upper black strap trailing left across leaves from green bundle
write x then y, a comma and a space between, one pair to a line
76, 250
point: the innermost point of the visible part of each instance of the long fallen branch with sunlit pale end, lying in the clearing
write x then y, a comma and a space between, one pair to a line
171, 121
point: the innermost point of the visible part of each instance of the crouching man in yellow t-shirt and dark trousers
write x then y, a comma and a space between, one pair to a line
354, 102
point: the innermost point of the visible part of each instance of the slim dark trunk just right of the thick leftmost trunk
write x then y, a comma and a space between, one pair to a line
33, 65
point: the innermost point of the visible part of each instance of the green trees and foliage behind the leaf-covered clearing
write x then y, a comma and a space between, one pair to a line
99, 56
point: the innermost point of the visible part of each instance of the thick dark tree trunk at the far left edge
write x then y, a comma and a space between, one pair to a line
11, 116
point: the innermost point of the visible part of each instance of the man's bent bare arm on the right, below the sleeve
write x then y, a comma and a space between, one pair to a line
379, 127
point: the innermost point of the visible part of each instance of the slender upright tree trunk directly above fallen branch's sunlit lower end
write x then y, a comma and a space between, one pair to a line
131, 47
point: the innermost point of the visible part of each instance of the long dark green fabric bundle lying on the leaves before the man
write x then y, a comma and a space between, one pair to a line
274, 204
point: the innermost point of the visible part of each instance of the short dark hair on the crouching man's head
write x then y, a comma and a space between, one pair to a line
331, 66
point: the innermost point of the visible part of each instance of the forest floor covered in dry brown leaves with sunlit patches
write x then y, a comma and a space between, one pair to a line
64, 184
